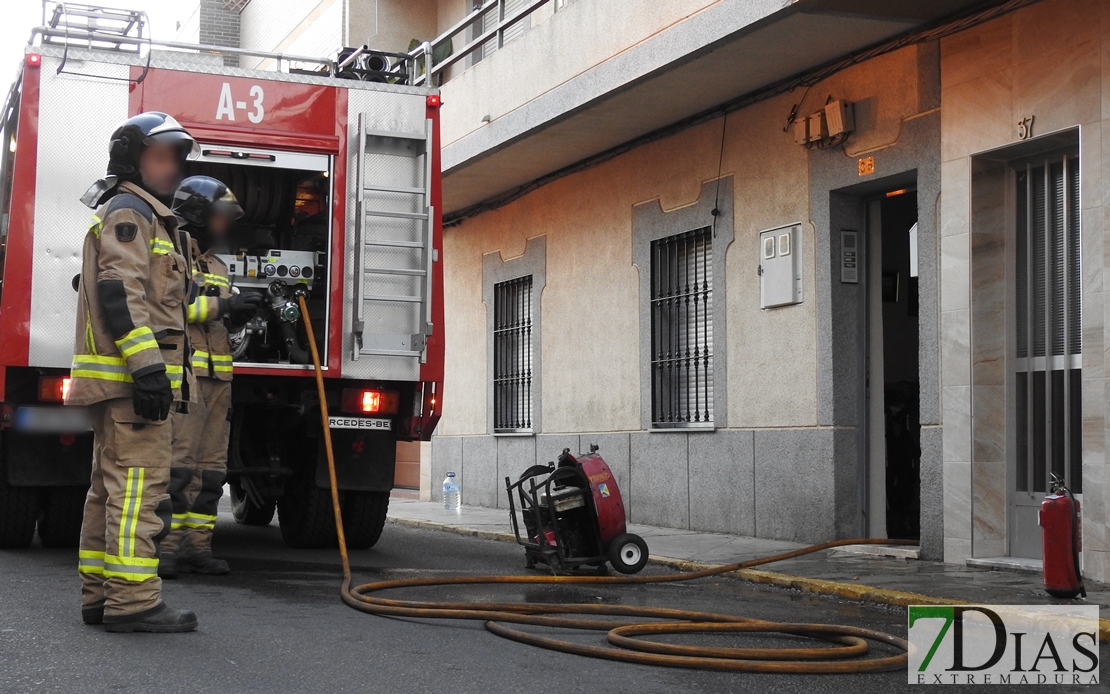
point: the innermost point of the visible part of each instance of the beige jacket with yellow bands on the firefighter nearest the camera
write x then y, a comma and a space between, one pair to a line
132, 300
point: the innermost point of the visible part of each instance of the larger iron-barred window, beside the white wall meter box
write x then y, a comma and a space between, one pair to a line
682, 330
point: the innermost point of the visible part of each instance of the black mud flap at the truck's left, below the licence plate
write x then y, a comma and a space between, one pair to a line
47, 460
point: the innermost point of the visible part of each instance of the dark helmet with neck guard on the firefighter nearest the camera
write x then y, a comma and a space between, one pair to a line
127, 146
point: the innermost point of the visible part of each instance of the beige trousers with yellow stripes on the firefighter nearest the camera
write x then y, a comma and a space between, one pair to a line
127, 511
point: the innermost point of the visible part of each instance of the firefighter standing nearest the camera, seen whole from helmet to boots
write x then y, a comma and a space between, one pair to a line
130, 370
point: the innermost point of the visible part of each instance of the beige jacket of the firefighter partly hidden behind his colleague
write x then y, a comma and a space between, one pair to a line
208, 336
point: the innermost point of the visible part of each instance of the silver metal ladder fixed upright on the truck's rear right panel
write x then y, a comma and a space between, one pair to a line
393, 253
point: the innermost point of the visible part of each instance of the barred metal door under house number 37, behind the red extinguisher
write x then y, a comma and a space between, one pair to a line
1048, 360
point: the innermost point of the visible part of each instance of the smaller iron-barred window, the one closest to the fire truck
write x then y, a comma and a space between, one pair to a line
512, 356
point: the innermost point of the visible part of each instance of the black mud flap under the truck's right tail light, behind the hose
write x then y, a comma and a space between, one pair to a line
365, 462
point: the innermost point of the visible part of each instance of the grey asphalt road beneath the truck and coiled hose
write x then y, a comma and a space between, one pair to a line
277, 625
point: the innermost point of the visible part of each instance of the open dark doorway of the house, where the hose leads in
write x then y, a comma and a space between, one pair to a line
893, 383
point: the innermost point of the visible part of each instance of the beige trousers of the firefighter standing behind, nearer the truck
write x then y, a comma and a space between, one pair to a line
199, 468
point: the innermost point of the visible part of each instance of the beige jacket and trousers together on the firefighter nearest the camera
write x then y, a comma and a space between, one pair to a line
132, 321
